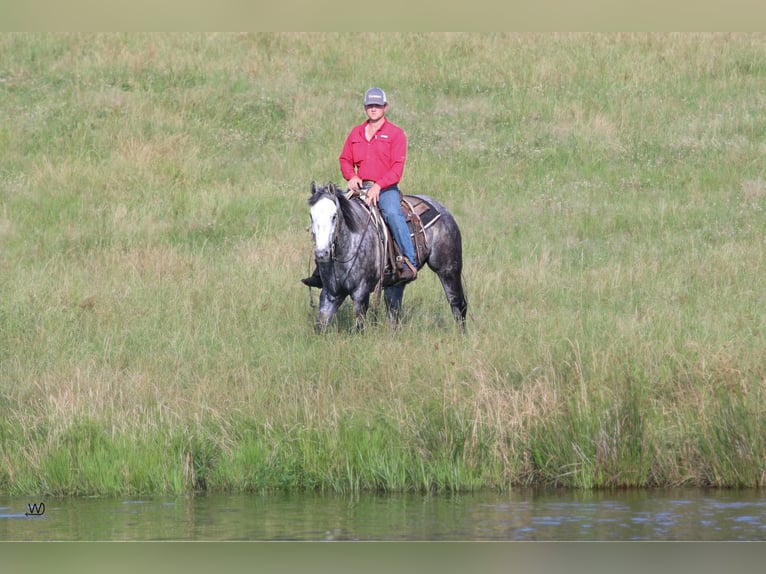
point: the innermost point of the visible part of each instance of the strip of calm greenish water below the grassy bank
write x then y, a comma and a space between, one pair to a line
683, 514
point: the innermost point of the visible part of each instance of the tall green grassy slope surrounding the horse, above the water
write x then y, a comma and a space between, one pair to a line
154, 337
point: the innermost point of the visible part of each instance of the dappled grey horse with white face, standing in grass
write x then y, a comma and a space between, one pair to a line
350, 253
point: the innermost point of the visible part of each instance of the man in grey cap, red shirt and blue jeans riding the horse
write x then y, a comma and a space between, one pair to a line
373, 158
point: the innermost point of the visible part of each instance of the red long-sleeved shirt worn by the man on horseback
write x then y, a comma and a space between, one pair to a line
380, 160
